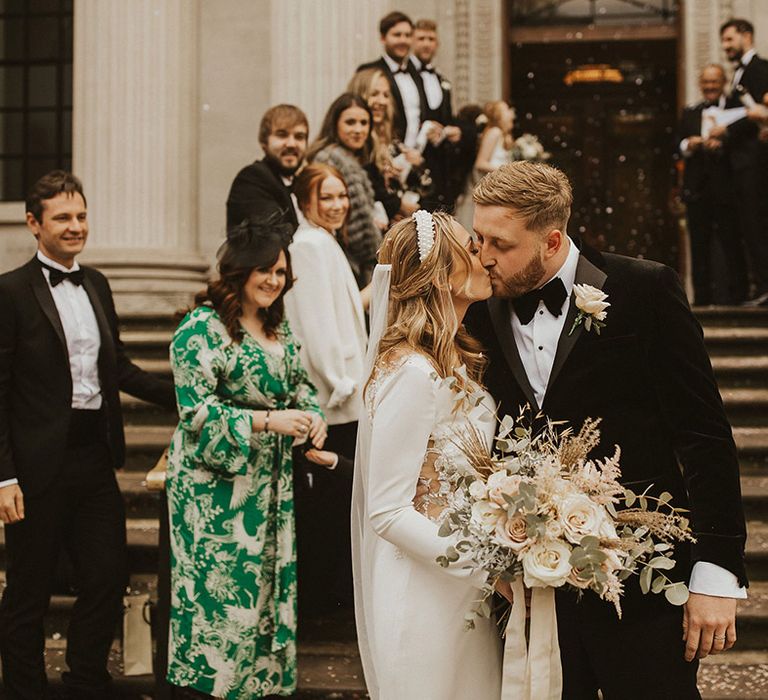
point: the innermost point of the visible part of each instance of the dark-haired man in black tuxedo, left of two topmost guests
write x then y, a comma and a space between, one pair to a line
405, 83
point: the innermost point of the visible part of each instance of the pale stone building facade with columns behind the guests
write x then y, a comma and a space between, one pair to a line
168, 95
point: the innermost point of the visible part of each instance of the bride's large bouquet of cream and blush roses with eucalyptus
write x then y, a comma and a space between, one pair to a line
537, 508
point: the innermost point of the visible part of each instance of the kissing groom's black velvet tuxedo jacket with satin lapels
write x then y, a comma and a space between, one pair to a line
649, 378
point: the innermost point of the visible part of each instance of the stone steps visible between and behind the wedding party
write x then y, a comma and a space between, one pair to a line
328, 662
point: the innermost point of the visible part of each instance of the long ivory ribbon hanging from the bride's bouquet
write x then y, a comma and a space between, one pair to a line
532, 671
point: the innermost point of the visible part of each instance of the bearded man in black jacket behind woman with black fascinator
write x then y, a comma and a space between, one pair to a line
263, 189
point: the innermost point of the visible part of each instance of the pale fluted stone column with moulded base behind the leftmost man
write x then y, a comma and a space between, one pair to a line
135, 126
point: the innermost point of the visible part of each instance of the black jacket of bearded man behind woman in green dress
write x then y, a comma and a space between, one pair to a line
257, 193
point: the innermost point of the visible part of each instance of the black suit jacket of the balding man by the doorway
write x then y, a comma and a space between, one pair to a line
707, 175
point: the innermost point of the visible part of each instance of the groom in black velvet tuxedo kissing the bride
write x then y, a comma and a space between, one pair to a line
648, 376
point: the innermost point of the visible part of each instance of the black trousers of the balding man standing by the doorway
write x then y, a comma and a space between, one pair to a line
710, 222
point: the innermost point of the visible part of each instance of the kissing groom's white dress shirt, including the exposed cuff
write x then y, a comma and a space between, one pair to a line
537, 343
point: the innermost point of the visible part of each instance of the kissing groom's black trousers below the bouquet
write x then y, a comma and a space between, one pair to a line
638, 658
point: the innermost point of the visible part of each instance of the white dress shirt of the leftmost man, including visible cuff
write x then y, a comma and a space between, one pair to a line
81, 332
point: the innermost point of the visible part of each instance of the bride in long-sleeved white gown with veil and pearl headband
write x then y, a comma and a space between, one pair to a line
409, 610
